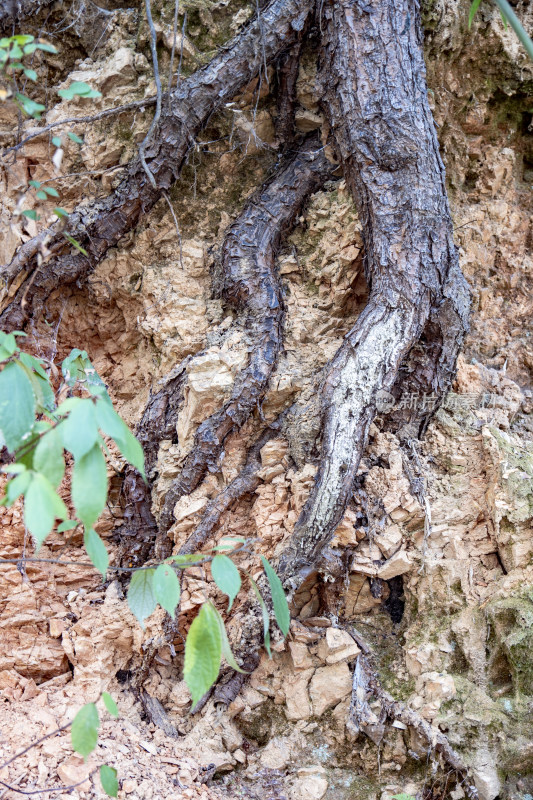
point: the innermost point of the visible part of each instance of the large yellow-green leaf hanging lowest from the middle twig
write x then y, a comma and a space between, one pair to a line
203, 651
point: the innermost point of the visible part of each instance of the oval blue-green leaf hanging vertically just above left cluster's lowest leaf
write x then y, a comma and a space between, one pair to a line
89, 485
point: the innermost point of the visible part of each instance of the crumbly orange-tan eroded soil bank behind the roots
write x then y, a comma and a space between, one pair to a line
440, 539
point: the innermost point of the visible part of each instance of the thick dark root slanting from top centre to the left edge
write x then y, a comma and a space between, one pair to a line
101, 224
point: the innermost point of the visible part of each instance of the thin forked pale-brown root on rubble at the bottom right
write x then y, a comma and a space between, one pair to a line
361, 717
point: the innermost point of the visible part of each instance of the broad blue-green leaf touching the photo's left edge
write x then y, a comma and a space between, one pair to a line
17, 406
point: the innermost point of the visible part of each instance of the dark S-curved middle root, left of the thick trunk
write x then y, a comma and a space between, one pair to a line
249, 282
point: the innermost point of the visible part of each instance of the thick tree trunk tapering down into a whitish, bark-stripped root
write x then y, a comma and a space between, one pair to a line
375, 96
